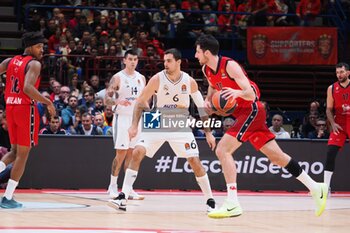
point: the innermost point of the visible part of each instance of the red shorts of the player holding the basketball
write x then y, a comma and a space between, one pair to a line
250, 125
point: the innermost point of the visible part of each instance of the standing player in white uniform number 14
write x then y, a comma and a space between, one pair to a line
125, 87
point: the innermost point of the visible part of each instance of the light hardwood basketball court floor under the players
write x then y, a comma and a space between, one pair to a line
171, 211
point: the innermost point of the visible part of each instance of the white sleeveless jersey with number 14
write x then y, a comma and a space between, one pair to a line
130, 87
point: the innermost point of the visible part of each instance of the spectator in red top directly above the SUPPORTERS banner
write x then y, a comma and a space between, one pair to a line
307, 10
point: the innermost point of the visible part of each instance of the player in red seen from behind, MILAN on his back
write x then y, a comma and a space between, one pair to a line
21, 94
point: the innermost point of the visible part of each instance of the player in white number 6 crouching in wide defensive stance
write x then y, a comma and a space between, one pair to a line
173, 89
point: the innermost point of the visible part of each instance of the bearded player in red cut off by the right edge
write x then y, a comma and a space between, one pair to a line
338, 114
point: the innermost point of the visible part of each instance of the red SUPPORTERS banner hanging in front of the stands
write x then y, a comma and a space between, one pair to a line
292, 45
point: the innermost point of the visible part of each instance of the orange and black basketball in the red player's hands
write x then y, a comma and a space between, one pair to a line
221, 105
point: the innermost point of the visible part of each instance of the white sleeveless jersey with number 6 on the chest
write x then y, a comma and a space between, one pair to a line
174, 96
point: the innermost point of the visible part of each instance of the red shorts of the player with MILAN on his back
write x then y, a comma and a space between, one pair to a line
23, 124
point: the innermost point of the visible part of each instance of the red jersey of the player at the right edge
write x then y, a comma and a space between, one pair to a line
341, 96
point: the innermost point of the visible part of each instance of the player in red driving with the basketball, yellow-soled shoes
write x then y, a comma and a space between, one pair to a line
225, 74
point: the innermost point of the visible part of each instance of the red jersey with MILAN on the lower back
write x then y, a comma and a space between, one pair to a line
15, 76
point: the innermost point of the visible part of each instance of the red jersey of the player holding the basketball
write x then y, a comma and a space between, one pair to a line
220, 78
